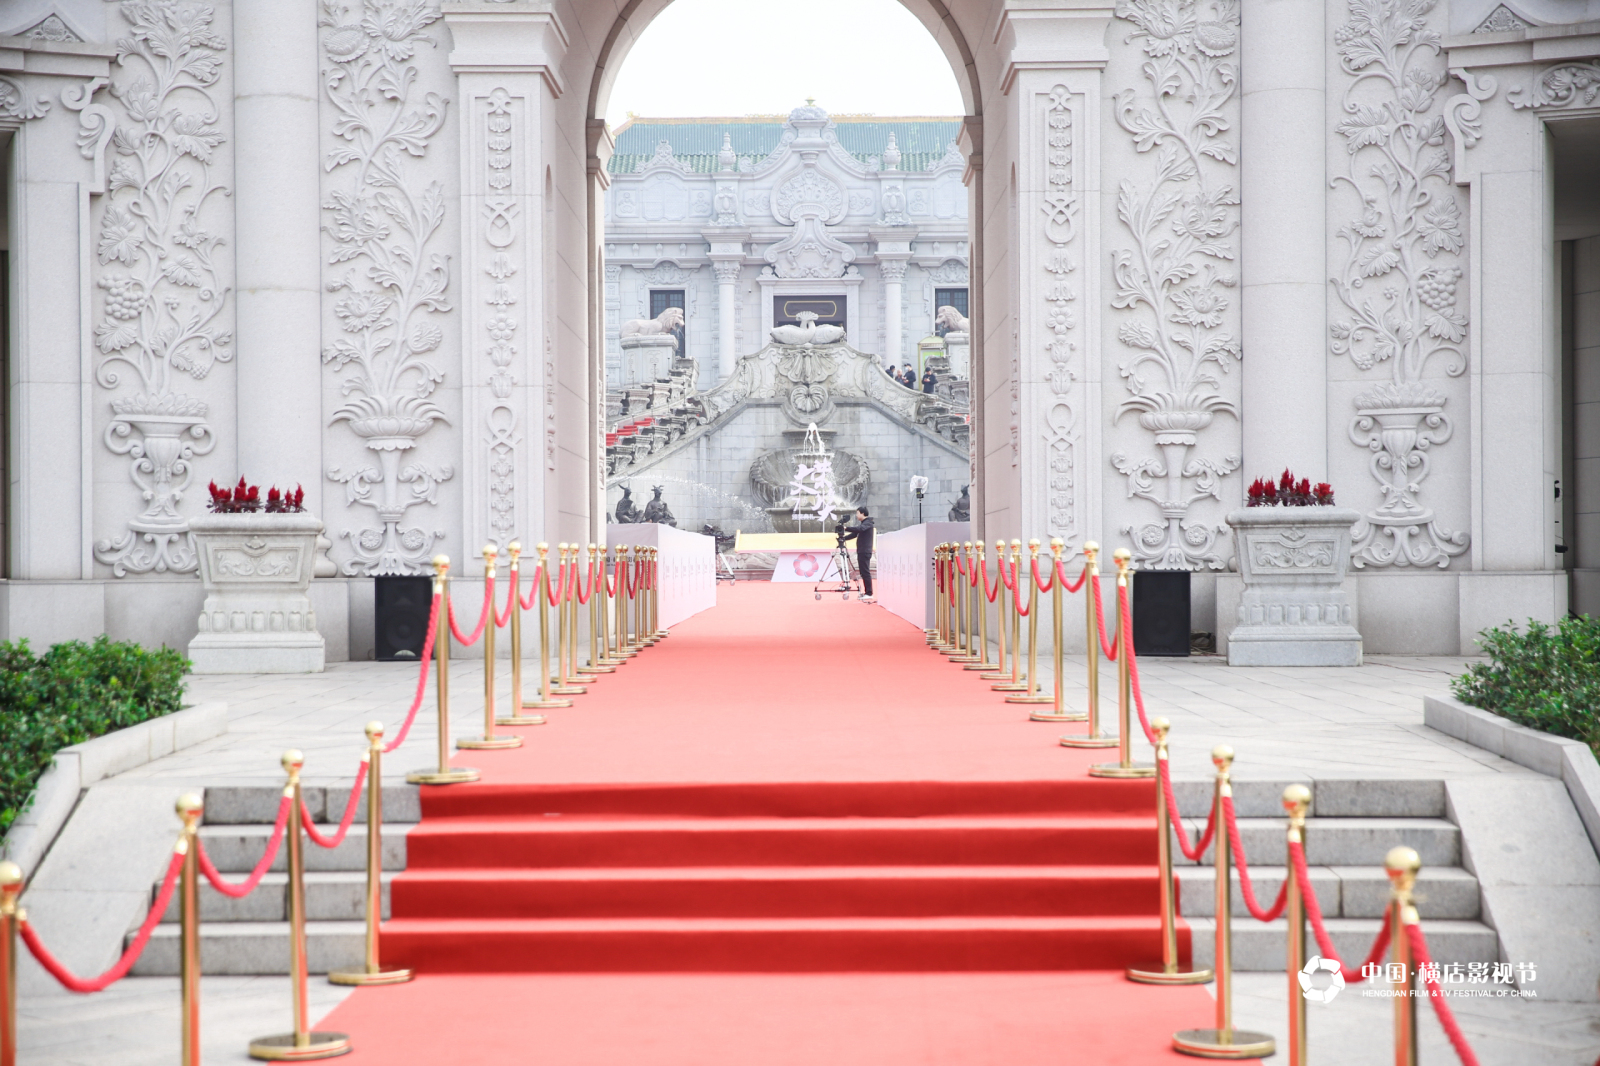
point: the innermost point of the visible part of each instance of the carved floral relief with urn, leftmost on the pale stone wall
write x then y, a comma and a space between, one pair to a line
164, 307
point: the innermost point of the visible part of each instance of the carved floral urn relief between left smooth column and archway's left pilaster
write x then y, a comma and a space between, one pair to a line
385, 233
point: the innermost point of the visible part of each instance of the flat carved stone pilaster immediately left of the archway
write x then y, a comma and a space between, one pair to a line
508, 63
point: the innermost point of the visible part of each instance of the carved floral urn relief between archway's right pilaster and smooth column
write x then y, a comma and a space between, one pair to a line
1177, 275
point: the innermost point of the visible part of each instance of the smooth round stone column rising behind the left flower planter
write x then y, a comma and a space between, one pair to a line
278, 218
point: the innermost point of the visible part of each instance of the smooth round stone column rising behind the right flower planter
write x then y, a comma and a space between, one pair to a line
1284, 262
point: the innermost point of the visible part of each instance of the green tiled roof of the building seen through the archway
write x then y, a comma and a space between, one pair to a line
697, 142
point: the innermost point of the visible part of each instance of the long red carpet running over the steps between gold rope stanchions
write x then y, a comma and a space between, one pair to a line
793, 796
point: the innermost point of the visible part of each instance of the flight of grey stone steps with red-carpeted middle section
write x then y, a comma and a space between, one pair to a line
791, 878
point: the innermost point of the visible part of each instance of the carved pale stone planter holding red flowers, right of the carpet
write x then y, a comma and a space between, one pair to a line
1294, 611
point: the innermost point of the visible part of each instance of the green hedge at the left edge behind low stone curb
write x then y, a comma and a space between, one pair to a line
73, 694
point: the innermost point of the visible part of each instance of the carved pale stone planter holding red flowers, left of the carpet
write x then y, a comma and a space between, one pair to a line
257, 572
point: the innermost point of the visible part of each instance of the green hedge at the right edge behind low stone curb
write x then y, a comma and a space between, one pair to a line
1546, 678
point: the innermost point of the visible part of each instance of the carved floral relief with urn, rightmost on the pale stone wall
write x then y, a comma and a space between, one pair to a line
1401, 276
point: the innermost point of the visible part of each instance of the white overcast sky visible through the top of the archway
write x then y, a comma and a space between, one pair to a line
766, 57
